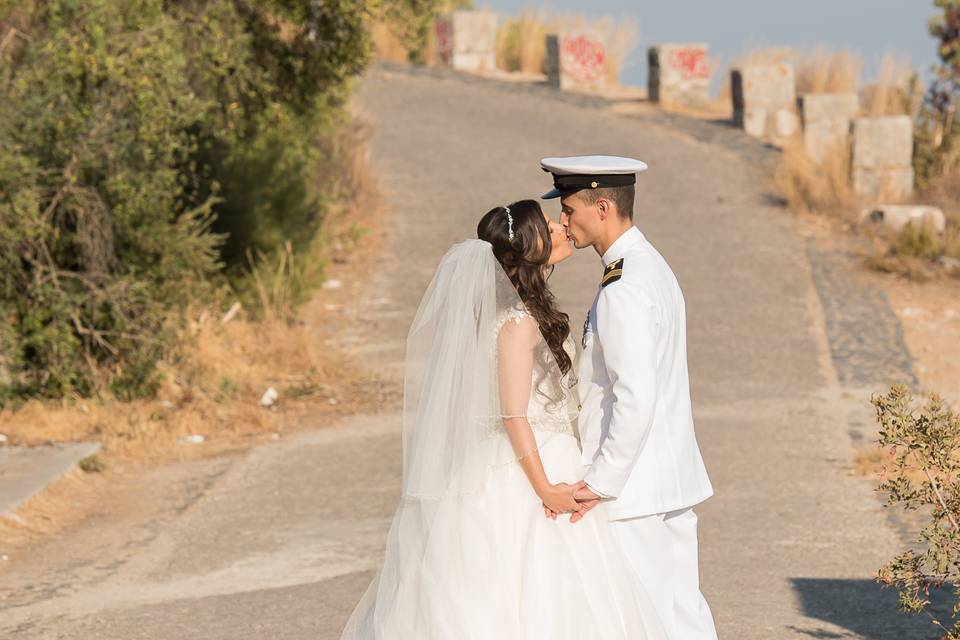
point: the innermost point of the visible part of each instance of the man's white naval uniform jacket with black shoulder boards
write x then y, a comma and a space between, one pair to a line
636, 424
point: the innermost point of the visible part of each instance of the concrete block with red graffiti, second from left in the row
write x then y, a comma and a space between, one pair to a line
576, 60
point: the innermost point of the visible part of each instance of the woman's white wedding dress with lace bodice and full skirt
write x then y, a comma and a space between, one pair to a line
479, 559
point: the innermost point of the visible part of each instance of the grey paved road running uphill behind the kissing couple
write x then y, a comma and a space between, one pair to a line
281, 542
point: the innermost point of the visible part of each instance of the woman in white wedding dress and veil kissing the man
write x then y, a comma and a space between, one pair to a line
489, 455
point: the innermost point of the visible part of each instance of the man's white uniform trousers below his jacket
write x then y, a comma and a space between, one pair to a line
663, 551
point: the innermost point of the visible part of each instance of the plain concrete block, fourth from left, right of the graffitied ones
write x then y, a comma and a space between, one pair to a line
765, 97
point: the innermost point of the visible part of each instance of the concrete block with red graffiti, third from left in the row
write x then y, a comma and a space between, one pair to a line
678, 74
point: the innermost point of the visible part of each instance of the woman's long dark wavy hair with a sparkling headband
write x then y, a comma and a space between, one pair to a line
524, 259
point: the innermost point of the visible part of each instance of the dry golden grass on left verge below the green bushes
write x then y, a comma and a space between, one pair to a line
212, 385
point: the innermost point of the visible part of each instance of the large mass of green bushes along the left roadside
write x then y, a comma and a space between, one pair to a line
145, 148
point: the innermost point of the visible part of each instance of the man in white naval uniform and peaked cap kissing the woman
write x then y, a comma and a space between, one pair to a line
636, 425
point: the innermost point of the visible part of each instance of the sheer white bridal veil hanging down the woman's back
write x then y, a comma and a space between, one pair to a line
452, 392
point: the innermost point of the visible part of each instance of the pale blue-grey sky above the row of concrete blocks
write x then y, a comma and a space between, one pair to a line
730, 27
